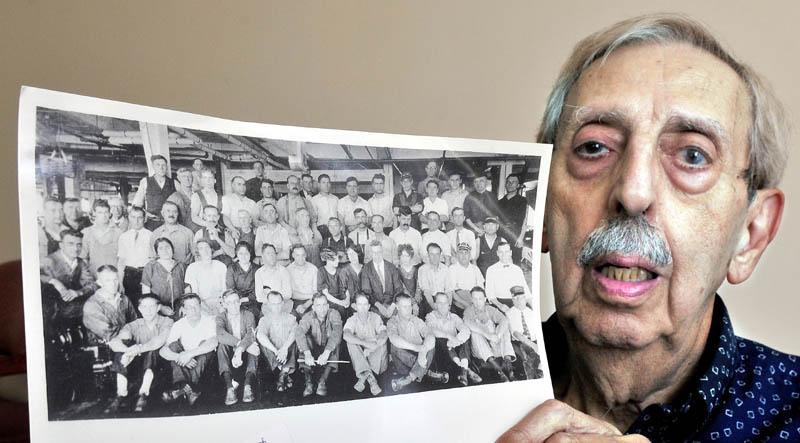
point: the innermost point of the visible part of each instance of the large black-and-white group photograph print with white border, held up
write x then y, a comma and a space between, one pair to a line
286, 283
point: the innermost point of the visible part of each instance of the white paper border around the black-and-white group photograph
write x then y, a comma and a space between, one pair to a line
478, 413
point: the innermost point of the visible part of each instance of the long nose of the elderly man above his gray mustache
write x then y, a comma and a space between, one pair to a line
634, 192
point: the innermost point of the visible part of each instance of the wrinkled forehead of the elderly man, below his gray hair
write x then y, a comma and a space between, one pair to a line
657, 86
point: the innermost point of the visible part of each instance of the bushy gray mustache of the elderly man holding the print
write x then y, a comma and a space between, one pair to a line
626, 235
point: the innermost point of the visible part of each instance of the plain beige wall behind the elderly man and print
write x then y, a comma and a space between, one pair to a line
453, 69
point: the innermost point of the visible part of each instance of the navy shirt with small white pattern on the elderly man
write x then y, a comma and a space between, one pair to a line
744, 392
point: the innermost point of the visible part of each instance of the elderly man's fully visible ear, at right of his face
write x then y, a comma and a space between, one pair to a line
763, 219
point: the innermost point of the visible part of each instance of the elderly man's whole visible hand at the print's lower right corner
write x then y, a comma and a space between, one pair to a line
555, 421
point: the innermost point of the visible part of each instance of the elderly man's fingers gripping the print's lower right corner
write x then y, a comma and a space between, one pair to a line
553, 417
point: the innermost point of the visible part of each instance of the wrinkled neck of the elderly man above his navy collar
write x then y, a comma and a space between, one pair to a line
598, 378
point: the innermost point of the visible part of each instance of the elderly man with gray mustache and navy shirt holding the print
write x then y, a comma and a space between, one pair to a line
663, 183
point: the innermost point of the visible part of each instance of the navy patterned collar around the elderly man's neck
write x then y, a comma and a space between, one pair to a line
693, 405
